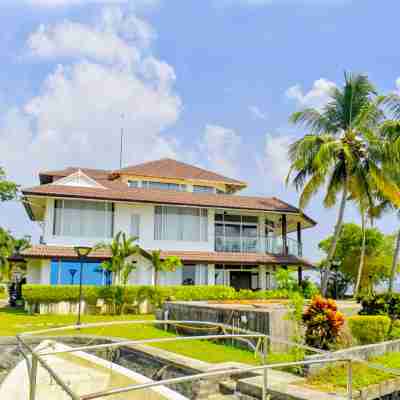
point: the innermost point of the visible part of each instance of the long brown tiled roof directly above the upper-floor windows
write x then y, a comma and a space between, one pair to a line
116, 191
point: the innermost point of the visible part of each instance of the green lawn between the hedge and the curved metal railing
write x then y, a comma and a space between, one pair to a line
13, 322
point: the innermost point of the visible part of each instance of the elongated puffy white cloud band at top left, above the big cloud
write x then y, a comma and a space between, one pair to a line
116, 39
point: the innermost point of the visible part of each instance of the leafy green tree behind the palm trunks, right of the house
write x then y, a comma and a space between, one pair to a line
379, 250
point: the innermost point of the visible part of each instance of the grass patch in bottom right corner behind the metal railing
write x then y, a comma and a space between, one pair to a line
335, 376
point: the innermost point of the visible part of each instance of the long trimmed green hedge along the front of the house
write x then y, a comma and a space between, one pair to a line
34, 294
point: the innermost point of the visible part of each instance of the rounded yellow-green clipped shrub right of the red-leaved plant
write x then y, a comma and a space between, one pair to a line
368, 329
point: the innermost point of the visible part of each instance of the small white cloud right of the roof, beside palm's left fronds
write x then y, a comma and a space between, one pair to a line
274, 162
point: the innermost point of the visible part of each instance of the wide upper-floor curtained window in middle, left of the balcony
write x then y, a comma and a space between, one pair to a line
181, 223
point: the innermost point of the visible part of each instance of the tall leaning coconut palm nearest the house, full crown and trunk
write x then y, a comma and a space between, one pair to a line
342, 152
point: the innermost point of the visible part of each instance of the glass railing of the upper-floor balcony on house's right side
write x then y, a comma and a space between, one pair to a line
271, 245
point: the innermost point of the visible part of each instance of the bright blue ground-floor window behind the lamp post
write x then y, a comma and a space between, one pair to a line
68, 273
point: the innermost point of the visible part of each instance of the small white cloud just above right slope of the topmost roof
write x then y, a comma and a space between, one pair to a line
221, 148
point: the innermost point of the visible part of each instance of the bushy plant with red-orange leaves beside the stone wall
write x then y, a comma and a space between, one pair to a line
323, 323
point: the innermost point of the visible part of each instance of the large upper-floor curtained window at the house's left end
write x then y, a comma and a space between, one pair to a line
89, 219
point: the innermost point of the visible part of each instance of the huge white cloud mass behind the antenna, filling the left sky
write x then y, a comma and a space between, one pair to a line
75, 119
